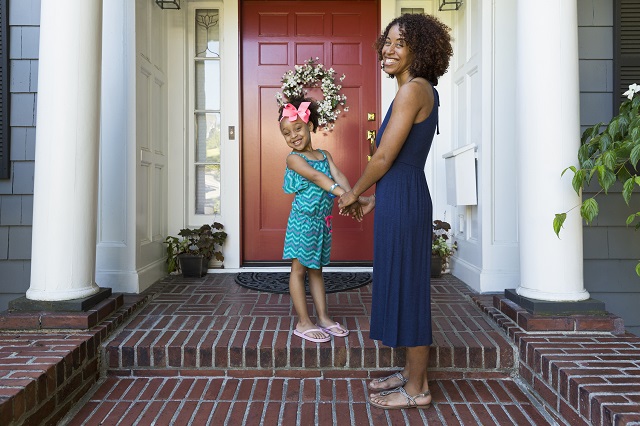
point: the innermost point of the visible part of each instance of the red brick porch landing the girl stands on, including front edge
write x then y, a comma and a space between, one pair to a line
214, 323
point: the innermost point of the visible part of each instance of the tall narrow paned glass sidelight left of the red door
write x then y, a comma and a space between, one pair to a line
207, 115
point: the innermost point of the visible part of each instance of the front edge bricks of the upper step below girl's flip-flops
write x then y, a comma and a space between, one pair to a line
267, 343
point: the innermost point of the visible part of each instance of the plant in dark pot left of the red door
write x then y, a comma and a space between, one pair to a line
192, 251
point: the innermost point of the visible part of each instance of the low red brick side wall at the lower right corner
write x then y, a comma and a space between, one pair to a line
588, 377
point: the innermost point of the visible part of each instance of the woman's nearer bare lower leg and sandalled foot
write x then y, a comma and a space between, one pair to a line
416, 371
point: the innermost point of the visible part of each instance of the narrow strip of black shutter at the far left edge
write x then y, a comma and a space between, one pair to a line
4, 90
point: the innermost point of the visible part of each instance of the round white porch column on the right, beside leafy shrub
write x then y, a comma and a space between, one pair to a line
548, 135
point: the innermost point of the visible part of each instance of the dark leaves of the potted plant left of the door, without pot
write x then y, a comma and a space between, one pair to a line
205, 241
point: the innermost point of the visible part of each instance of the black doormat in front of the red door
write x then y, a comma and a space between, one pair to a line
278, 282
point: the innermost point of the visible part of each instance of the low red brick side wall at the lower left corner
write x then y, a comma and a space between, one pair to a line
44, 372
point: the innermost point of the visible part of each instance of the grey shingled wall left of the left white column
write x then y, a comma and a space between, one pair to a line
16, 193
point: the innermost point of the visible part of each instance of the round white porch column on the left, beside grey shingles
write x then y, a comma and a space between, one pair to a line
67, 140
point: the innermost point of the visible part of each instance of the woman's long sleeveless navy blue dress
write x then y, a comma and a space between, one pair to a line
401, 303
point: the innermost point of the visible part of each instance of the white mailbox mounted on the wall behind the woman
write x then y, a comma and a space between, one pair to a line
460, 165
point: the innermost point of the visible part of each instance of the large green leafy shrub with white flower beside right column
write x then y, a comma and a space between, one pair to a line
610, 154
